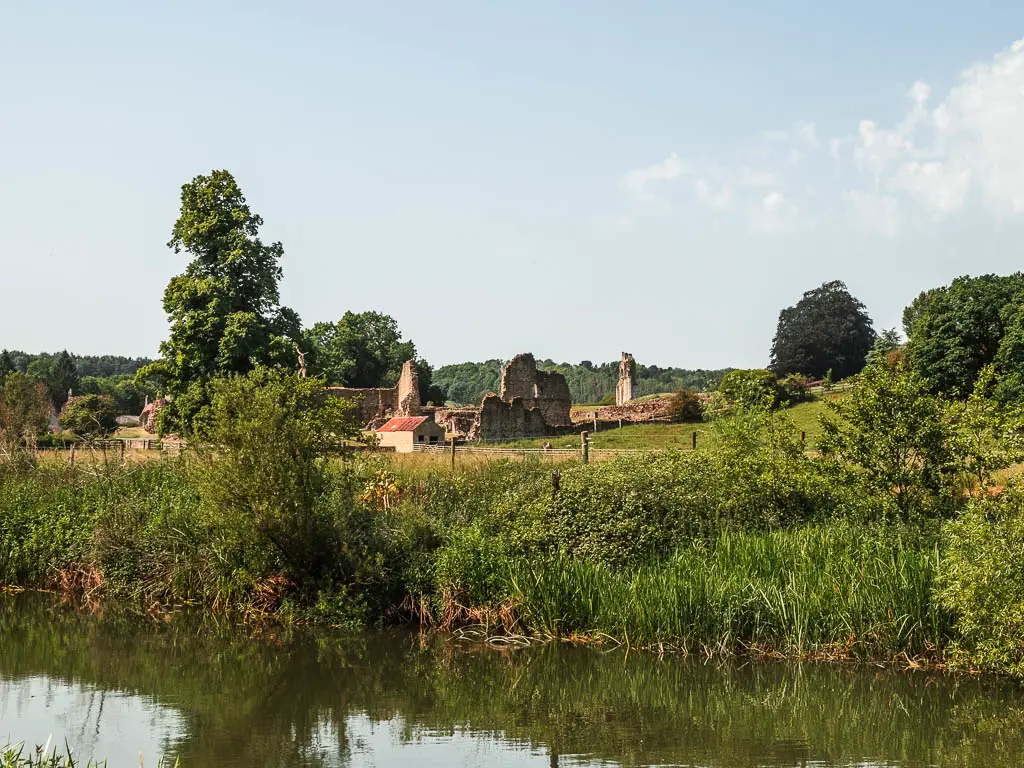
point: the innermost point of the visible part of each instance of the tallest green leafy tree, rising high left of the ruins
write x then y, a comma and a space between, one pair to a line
225, 310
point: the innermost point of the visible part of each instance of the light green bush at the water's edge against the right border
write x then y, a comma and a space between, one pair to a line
983, 581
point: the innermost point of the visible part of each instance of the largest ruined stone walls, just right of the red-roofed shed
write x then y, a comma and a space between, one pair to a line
532, 404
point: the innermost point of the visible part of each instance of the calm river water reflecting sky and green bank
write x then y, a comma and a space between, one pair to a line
115, 687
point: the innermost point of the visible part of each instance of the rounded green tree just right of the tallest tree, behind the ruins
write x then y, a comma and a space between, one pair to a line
362, 350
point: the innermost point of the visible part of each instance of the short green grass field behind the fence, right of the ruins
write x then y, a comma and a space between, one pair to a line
804, 418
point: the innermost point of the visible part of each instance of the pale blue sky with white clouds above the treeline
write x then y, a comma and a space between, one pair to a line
573, 180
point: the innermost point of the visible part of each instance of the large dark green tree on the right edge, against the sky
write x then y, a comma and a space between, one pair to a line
954, 332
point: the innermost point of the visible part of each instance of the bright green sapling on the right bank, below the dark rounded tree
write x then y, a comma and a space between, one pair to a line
895, 435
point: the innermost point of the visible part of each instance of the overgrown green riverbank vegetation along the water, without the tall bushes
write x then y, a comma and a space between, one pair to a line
622, 553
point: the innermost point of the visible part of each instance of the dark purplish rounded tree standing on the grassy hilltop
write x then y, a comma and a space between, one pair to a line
828, 330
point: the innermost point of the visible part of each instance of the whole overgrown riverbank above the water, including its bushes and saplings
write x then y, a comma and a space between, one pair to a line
750, 545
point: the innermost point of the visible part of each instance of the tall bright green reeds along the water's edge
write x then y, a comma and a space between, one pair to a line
820, 589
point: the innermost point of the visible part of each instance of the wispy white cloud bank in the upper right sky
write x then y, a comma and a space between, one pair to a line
940, 158
